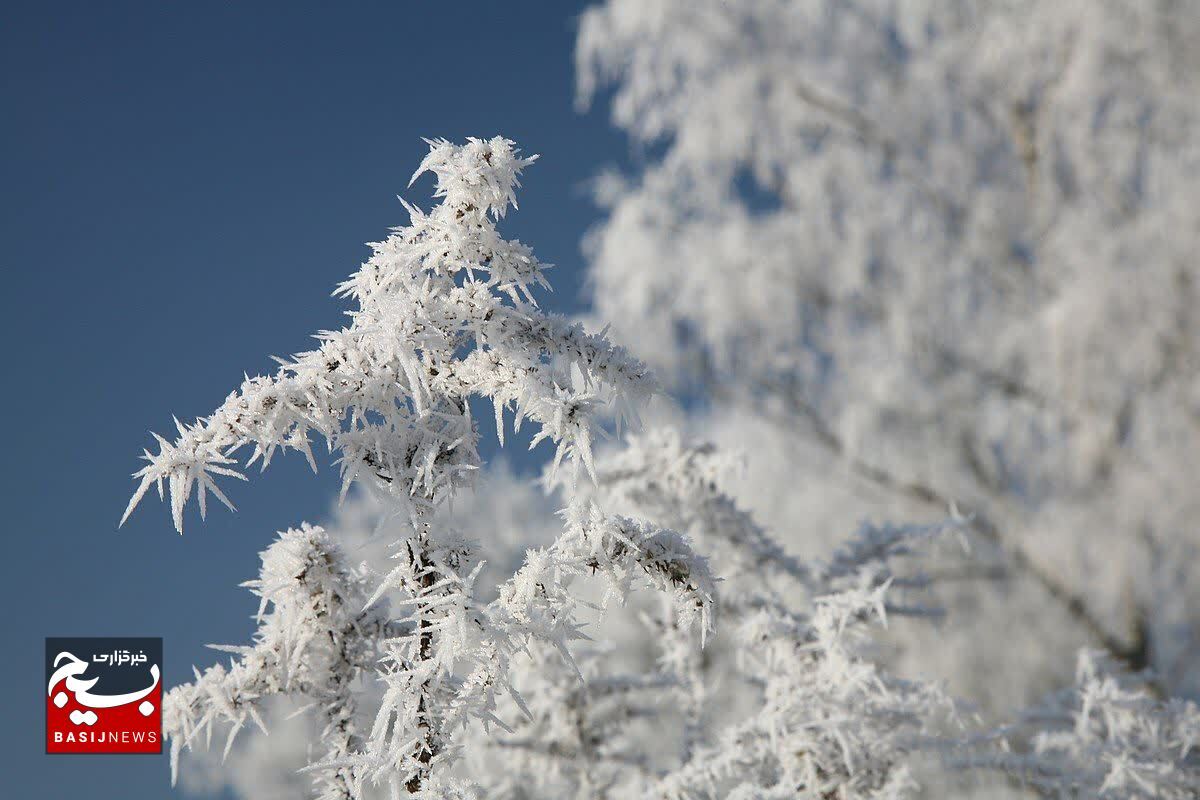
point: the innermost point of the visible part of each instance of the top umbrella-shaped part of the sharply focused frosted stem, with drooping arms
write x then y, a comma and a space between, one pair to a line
446, 311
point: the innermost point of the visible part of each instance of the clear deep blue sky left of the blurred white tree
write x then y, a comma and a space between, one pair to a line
184, 184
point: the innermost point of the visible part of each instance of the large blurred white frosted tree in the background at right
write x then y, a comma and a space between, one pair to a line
950, 248
